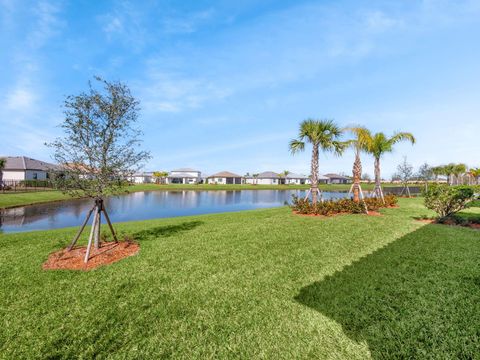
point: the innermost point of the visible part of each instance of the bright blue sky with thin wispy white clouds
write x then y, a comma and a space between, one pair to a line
223, 85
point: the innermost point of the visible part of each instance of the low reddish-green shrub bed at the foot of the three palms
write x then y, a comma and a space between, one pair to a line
343, 206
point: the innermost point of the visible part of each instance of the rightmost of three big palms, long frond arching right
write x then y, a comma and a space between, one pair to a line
378, 145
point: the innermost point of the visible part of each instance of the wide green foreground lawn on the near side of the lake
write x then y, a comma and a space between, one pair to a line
255, 284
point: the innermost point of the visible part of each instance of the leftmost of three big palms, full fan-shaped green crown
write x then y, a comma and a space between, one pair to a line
322, 134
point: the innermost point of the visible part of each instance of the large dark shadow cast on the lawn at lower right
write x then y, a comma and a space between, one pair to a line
418, 297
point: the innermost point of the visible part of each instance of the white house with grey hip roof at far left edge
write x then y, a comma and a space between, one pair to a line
19, 168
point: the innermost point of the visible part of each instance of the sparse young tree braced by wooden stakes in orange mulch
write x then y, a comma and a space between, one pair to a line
100, 148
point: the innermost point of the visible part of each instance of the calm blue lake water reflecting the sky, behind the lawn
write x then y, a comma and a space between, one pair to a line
145, 205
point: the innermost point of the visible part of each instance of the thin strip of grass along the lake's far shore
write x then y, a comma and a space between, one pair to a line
30, 198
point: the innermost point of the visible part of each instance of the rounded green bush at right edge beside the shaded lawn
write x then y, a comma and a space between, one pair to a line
447, 200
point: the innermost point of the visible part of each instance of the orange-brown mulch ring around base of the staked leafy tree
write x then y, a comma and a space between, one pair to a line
108, 253
